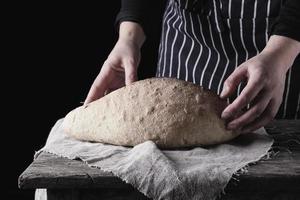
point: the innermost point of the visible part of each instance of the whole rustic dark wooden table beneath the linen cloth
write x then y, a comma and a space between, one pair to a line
276, 178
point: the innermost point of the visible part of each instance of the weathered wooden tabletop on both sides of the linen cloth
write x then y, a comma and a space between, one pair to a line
50, 171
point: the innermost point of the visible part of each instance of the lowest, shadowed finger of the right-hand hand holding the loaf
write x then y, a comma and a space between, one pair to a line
268, 114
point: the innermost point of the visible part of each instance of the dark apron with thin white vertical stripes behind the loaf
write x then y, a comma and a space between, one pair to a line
203, 41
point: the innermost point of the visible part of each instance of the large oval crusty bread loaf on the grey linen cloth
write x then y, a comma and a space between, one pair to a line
170, 112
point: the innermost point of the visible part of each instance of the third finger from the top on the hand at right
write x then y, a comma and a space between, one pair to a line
259, 105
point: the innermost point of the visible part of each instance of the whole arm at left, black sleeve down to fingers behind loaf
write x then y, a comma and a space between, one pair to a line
120, 67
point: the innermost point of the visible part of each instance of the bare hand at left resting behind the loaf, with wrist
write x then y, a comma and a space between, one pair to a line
120, 67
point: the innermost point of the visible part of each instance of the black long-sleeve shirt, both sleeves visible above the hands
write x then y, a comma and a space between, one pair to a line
141, 11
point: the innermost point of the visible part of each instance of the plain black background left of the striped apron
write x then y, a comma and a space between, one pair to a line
47, 69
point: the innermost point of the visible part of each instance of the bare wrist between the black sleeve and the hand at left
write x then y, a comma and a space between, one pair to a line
133, 32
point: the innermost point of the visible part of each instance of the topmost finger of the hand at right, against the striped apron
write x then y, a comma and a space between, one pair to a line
232, 82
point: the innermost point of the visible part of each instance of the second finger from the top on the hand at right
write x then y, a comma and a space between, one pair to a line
250, 91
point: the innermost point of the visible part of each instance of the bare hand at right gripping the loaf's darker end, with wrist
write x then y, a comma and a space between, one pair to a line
265, 76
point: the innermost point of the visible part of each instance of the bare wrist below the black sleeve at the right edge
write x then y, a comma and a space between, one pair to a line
284, 49
